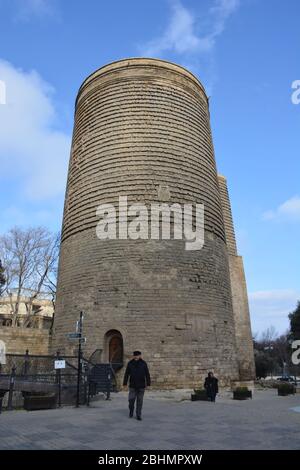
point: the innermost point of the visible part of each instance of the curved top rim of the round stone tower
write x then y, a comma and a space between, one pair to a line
143, 62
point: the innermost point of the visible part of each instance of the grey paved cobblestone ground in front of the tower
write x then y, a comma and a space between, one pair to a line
266, 422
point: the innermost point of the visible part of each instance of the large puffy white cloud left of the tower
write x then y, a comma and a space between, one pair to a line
33, 154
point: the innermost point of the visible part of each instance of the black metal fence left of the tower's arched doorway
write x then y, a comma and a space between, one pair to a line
36, 376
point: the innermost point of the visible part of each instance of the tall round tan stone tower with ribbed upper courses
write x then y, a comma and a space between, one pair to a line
142, 130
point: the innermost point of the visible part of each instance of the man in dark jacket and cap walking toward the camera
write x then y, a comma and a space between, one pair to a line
139, 378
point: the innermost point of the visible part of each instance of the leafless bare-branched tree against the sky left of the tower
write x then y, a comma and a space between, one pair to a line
29, 259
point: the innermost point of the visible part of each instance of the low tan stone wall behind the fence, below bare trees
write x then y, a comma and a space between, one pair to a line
17, 340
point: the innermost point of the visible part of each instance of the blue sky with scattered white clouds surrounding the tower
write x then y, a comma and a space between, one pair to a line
246, 54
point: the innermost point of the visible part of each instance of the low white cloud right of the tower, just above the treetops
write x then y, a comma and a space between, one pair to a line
271, 307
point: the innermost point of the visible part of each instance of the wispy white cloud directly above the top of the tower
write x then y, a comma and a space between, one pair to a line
181, 34
